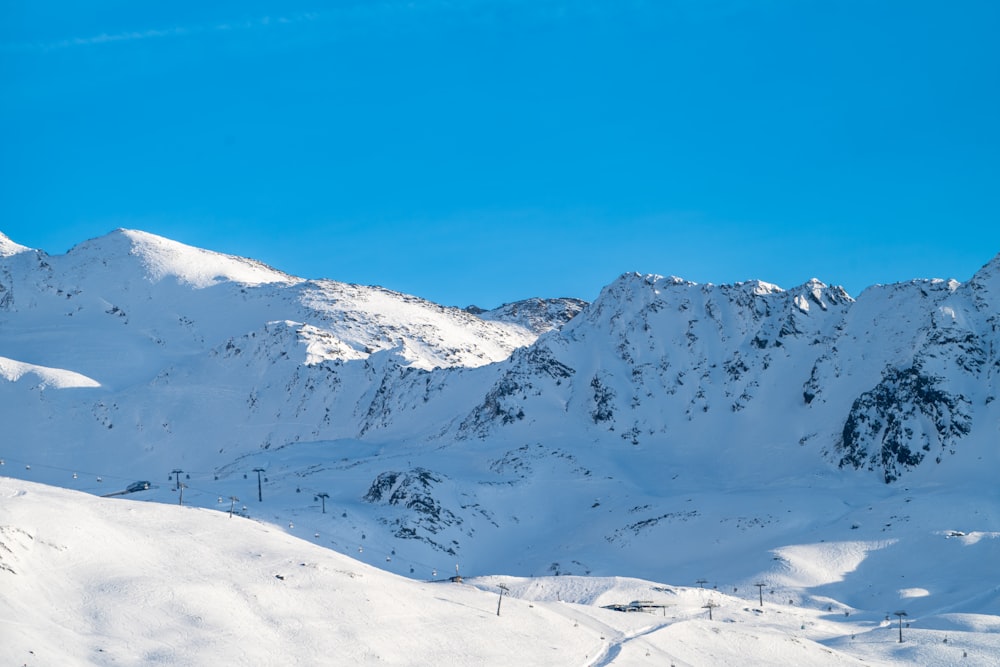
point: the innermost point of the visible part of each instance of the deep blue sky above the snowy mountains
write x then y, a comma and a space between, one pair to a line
483, 151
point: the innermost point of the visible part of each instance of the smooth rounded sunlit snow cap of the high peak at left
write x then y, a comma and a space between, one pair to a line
160, 258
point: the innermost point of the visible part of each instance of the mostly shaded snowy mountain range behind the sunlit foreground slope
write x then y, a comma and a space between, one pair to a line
668, 430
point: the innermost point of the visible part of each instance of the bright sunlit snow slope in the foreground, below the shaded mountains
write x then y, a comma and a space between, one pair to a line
92, 581
